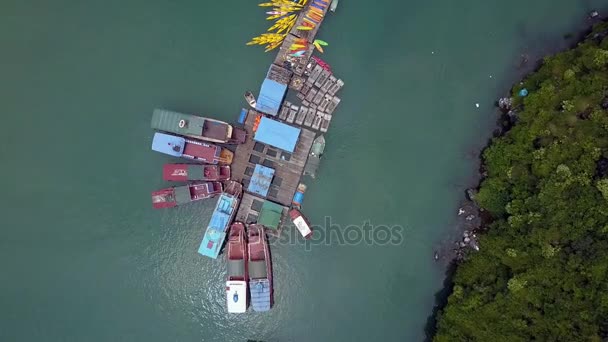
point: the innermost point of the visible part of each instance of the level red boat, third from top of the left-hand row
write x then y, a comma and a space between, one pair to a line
195, 172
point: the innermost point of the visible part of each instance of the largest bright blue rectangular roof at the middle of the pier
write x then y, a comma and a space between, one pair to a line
277, 134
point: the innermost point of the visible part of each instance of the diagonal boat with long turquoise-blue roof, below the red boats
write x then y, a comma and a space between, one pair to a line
222, 216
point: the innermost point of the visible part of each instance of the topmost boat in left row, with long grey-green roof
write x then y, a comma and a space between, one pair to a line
196, 127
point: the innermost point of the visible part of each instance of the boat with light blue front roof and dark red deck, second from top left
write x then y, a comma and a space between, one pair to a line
177, 146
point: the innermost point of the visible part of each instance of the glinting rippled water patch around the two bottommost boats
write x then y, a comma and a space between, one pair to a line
185, 281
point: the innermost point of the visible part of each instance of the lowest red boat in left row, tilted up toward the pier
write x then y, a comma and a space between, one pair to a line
172, 197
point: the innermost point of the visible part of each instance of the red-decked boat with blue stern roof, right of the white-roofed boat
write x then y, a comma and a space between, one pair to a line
260, 269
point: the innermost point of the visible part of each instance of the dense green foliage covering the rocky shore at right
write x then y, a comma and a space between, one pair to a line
542, 271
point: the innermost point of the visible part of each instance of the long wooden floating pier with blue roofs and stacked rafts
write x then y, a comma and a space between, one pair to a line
280, 133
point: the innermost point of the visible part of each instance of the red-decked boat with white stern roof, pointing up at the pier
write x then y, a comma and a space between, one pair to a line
236, 282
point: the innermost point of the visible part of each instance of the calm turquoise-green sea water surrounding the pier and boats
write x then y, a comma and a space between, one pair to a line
85, 258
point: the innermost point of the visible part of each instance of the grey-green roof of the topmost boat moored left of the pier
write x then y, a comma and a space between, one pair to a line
174, 122
